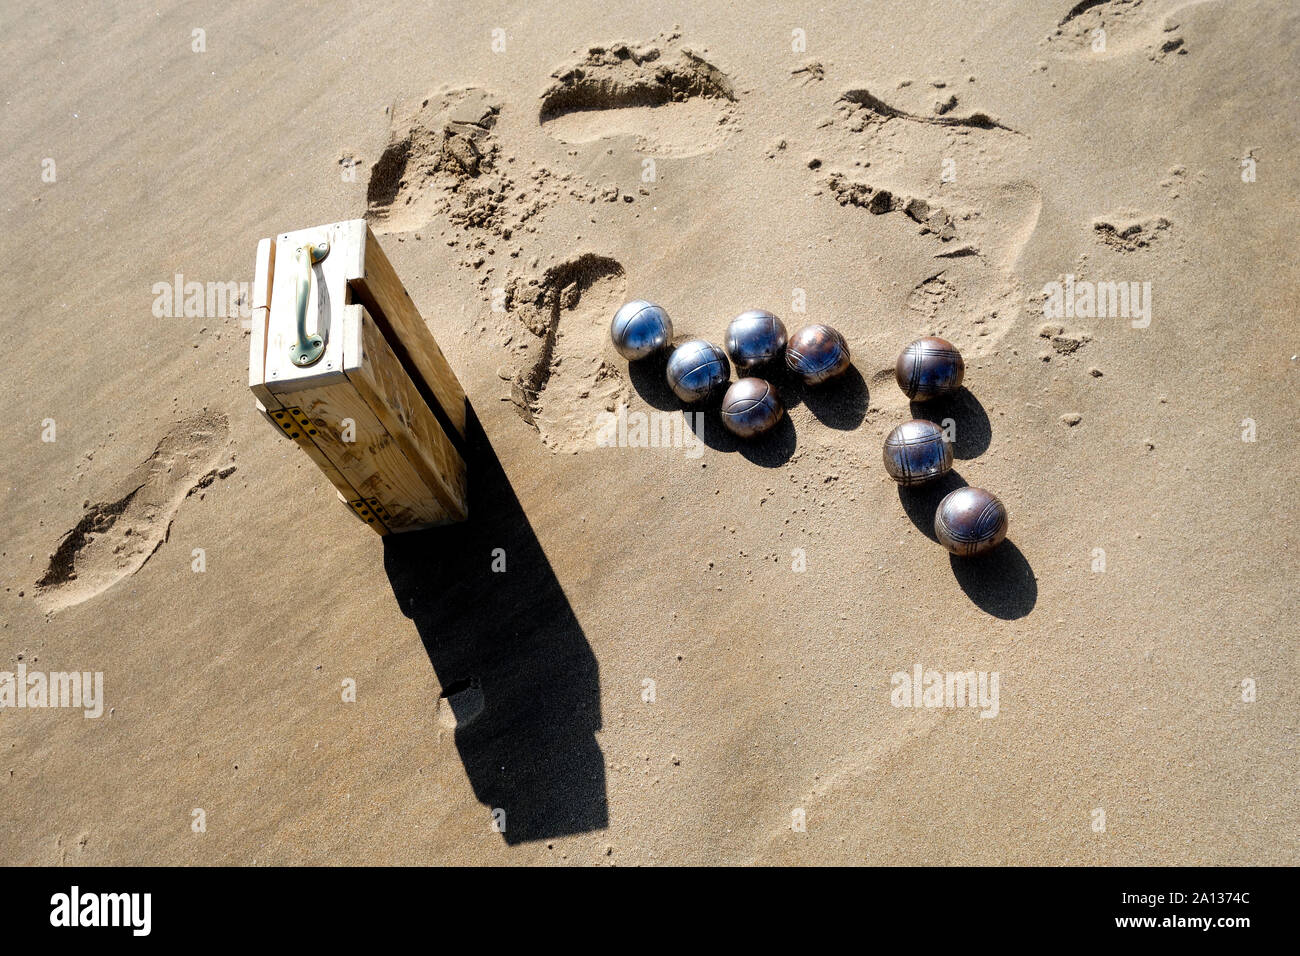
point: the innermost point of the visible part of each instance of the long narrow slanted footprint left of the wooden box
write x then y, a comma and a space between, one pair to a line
120, 534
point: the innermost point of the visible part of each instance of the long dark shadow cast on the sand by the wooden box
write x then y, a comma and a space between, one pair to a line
517, 671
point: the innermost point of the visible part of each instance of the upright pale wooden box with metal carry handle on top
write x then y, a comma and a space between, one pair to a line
365, 392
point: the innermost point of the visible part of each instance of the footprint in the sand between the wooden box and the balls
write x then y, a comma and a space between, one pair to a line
558, 326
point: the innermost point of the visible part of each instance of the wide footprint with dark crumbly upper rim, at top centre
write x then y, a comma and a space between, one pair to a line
674, 102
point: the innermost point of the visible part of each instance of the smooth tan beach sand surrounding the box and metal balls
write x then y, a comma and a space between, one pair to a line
774, 171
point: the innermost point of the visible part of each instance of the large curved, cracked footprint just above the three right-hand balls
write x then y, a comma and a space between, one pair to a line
955, 174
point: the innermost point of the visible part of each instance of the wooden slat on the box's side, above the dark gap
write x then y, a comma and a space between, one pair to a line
392, 309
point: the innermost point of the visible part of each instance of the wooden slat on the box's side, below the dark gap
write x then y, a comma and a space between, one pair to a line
379, 378
